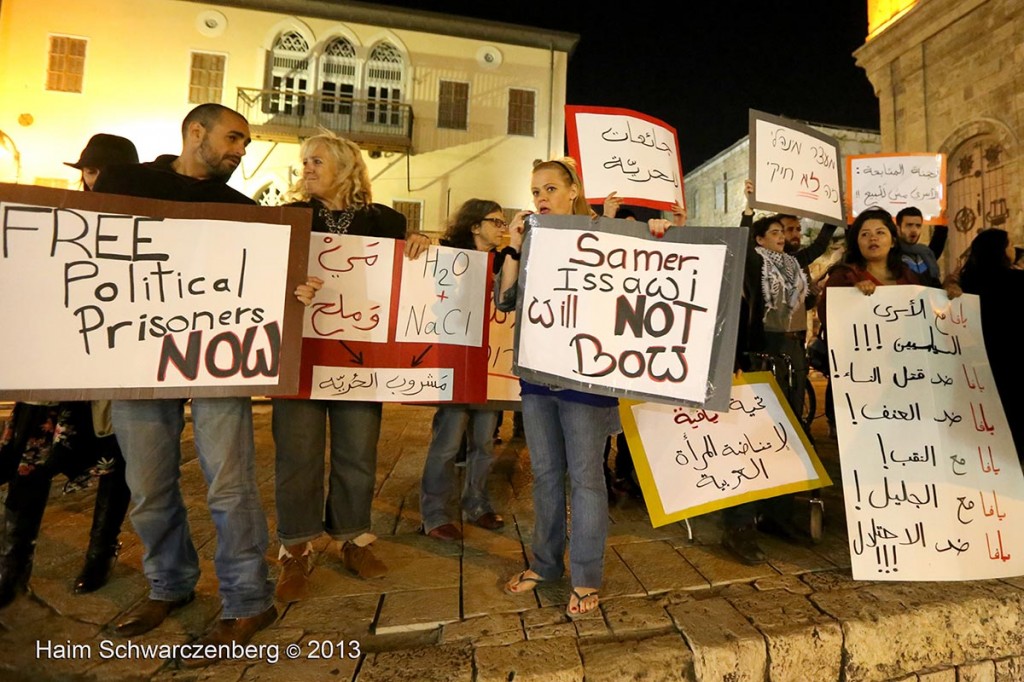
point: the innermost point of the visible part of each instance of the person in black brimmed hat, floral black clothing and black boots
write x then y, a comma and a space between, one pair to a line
75, 439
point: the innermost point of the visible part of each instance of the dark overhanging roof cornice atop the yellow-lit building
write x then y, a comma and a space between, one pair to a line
411, 20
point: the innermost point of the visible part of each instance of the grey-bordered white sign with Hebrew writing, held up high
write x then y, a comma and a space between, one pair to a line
795, 168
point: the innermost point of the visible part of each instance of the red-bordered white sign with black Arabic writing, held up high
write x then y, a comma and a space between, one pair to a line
625, 152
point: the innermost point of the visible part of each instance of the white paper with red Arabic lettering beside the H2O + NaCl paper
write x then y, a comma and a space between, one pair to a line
356, 302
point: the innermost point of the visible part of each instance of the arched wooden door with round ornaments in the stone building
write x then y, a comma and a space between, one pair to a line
978, 191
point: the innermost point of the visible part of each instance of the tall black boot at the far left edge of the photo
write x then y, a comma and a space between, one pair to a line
23, 515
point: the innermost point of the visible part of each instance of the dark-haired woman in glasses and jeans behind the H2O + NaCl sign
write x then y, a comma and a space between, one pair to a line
478, 225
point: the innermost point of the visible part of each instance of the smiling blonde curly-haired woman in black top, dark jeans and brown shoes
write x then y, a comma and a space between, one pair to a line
335, 185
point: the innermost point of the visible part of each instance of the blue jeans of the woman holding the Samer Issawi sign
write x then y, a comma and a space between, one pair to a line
567, 438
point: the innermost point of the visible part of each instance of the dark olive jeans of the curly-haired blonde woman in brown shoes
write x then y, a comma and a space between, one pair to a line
301, 440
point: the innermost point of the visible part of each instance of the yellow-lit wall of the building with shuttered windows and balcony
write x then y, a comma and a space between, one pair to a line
137, 86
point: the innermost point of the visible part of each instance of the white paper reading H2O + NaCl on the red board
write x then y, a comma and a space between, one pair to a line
443, 297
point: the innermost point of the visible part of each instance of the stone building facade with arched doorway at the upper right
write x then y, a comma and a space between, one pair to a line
950, 78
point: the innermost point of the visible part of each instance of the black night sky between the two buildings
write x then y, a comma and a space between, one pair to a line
703, 72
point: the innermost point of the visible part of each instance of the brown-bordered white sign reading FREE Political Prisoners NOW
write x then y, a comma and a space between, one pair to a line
115, 297
